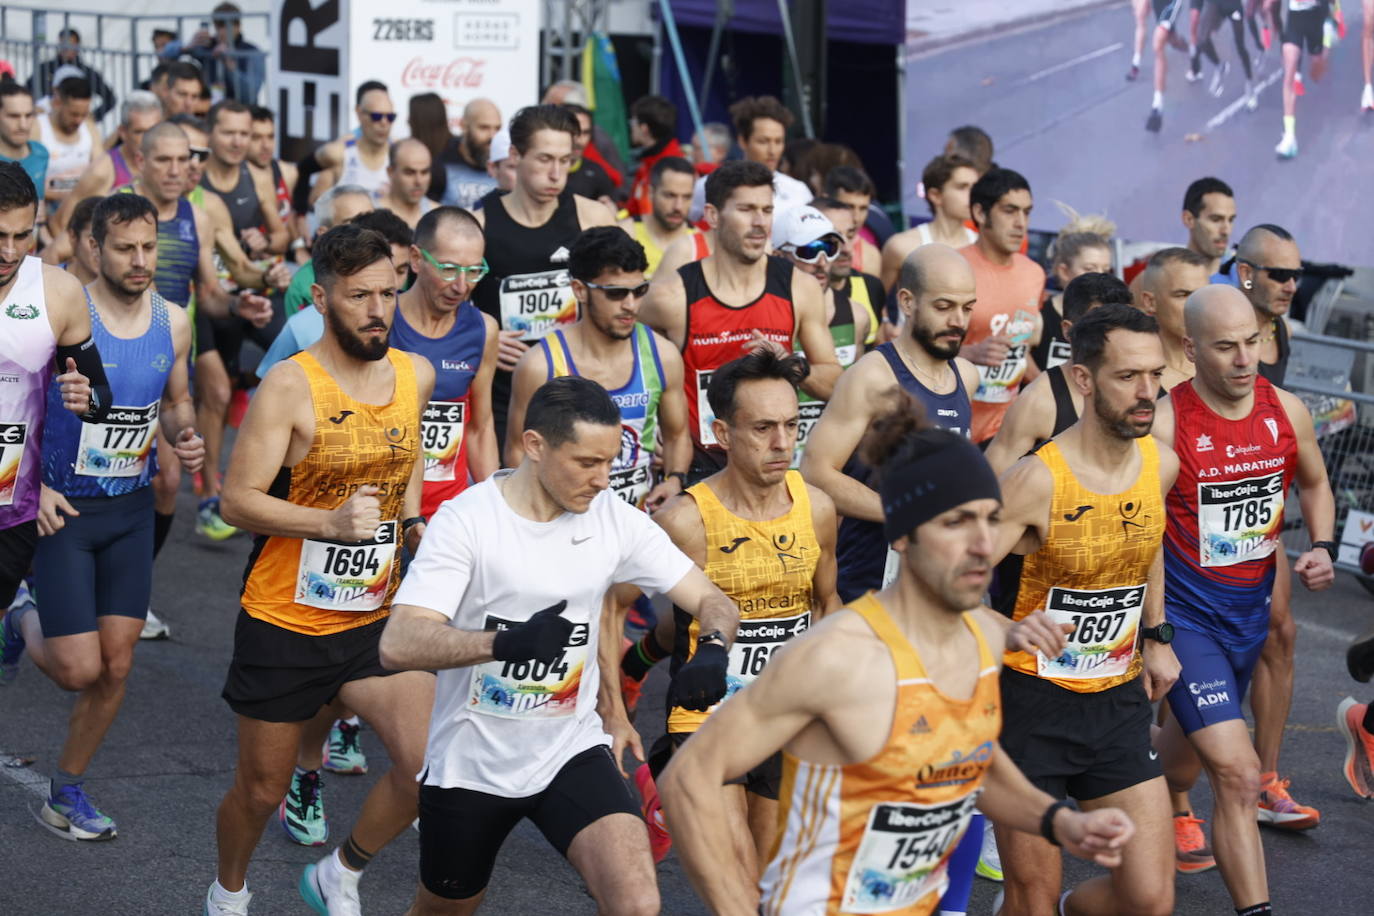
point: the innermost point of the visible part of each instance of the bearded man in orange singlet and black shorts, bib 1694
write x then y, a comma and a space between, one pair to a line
328, 473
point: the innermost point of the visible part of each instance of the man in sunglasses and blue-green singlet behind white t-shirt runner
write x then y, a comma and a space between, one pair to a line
641, 370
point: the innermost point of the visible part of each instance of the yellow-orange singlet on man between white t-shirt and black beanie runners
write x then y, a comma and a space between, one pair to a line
765, 568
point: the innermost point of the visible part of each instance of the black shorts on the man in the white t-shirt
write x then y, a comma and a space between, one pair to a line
462, 830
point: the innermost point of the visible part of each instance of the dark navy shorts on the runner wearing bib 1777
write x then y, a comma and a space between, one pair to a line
98, 564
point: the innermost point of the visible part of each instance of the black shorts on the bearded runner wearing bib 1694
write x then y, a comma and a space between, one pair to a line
282, 676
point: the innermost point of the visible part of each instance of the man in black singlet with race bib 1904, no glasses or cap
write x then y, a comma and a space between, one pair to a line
528, 236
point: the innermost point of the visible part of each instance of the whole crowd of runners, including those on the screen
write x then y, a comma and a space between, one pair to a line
956, 562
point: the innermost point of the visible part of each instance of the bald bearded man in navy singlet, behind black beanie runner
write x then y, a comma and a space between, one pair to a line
936, 297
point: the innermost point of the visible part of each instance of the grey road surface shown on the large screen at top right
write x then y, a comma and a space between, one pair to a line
1057, 105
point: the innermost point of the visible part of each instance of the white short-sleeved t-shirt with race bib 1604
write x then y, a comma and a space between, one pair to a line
506, 729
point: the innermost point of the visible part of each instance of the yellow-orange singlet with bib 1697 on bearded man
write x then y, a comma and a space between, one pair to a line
1092, 572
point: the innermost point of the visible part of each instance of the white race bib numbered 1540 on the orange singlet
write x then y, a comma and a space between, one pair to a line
905, 855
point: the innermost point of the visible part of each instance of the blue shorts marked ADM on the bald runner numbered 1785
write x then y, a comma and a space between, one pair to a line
1213, 682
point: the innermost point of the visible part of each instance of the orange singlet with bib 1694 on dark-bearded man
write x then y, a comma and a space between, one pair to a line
317, 586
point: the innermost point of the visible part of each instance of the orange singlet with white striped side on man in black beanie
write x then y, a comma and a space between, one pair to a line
877, 837
